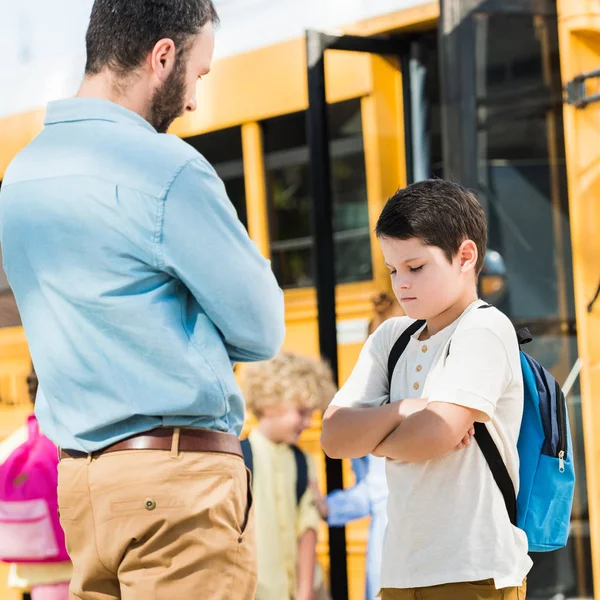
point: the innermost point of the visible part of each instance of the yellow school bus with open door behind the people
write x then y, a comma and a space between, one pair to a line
476, 94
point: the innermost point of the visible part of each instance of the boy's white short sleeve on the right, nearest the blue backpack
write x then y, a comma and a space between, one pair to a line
476, 373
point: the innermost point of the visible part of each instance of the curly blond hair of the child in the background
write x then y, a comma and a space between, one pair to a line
291, 380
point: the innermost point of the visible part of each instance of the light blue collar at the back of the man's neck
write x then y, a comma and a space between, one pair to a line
92, 109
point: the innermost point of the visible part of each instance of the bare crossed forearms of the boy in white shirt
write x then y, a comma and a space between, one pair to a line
410, 430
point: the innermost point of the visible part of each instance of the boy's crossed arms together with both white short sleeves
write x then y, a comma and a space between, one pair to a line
475, 375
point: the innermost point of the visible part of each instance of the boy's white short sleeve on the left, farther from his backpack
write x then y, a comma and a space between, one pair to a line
367, 385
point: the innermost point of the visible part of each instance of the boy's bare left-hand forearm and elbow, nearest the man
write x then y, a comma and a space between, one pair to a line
355, 432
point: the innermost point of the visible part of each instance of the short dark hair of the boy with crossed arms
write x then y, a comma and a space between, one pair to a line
439, 212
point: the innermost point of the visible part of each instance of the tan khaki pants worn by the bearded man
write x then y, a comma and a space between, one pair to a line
158, 525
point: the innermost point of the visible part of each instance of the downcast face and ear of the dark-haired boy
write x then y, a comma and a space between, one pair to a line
425, 282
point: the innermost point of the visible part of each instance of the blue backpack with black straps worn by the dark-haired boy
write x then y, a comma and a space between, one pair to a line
546, 472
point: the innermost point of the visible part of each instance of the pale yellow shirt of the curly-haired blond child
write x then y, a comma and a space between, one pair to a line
280, 522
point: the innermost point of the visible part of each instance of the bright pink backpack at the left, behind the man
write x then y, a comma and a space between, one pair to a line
30, 531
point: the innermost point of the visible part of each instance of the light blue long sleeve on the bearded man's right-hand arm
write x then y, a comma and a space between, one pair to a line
204, 245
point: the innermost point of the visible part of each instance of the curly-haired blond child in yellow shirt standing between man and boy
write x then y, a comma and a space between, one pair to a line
283, 393
